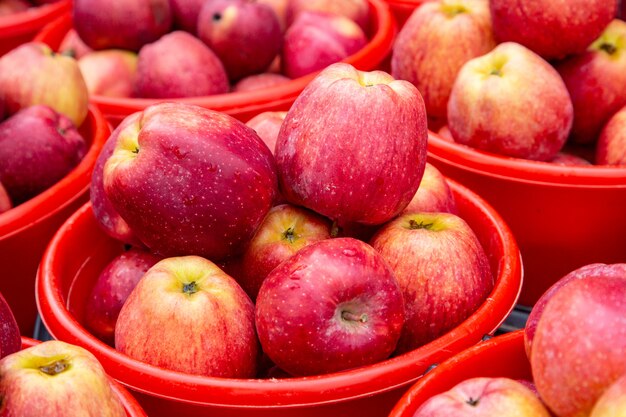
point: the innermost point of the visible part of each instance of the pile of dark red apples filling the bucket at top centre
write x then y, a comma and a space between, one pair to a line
185, 48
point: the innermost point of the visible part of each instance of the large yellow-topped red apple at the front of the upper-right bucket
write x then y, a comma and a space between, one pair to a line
488, 110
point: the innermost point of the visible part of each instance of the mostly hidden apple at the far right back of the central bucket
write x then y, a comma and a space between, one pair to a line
433, 194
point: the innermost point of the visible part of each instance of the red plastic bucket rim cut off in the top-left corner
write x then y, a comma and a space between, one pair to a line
22, 27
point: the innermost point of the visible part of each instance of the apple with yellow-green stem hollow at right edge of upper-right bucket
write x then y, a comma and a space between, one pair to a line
596, 81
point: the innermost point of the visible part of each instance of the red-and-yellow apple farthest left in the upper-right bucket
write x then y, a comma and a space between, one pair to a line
434, 43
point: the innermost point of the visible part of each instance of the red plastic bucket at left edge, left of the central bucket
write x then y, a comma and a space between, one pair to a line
26, 229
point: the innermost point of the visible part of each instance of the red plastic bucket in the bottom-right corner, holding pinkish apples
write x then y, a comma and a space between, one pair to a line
502, 356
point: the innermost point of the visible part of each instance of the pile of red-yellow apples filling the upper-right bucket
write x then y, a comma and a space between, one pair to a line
521, 79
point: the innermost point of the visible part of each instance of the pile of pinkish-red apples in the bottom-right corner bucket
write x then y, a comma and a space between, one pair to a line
575, 340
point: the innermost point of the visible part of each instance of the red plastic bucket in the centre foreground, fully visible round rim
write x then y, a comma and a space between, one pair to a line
80, 250
